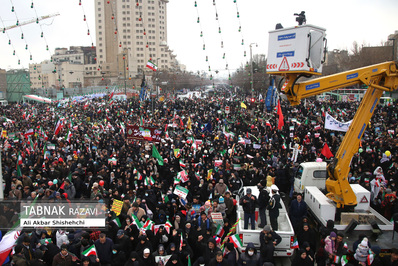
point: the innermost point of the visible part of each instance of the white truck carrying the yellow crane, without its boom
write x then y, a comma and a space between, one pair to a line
310, 181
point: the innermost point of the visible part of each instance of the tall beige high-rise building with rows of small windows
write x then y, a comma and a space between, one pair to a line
129, 33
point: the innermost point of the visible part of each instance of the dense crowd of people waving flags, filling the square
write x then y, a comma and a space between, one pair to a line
80, 150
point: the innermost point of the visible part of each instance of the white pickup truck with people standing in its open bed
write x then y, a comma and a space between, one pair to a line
284, 248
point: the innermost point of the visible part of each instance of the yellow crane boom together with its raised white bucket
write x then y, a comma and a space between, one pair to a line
299, 52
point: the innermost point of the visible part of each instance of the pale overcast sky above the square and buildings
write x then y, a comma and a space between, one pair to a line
368, 22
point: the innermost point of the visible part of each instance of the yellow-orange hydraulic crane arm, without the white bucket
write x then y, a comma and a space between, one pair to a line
378, 78
